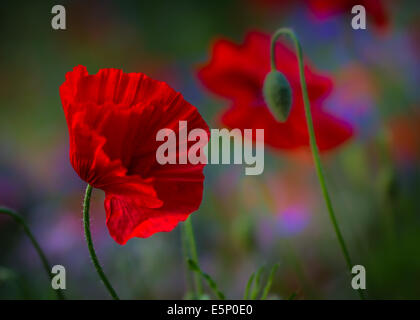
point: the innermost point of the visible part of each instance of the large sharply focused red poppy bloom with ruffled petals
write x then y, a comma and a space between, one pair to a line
113, 118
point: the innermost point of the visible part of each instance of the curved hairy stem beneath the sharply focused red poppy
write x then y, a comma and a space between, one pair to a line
86, 224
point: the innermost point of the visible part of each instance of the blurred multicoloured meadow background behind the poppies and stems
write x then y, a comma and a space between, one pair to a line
244, 222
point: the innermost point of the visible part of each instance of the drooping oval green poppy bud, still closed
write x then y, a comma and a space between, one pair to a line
278, 95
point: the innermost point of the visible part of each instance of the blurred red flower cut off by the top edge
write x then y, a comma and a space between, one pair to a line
374, 9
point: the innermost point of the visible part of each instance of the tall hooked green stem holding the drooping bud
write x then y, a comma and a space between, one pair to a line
312, 140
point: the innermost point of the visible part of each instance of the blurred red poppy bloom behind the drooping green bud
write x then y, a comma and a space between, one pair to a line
237, 72
